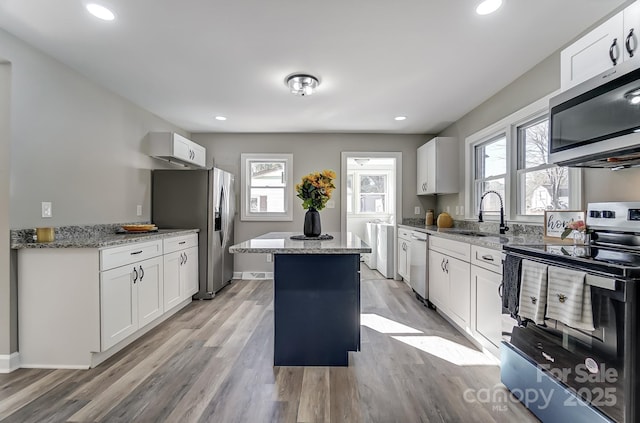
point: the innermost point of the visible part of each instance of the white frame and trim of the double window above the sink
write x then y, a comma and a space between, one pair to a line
510, 126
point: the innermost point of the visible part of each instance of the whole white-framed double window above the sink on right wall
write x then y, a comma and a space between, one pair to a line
511, 158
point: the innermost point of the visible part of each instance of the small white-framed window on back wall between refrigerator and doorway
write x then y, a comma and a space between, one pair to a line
267, 188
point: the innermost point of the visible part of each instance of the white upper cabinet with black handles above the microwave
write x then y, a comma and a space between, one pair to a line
613, 42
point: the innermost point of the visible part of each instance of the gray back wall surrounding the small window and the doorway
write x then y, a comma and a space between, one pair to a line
311, 152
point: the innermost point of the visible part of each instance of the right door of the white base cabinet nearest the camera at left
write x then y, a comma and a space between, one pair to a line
149, 286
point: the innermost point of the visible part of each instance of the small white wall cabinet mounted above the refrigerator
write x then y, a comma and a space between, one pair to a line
175, 148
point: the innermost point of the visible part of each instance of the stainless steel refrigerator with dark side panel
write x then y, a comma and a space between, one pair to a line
202, 199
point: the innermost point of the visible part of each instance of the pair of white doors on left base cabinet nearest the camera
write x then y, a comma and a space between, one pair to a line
130, 298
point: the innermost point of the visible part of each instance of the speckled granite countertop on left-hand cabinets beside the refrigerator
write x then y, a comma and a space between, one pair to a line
101, 239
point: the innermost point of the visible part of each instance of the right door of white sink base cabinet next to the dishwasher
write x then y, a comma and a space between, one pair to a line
459, 273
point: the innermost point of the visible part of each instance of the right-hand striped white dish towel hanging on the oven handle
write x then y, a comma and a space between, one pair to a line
569, 299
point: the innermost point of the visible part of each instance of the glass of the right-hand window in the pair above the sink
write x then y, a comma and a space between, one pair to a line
541, 186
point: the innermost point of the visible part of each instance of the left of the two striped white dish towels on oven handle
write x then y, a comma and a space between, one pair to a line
533, 291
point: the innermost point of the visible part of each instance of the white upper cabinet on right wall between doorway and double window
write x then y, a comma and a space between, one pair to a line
437, 167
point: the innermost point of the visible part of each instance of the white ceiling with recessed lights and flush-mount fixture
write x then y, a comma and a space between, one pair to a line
187, 61
